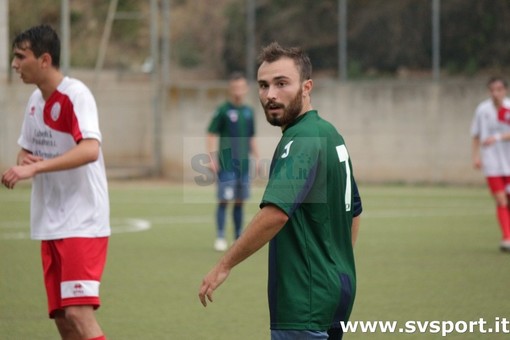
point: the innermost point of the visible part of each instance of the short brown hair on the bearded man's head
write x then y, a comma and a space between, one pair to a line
274, 51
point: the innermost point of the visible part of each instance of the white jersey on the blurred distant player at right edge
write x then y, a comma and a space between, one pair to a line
488, 122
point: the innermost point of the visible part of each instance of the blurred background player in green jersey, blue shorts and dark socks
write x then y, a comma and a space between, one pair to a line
234, 125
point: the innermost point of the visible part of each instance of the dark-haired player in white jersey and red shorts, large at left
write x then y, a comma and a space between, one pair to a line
61, 150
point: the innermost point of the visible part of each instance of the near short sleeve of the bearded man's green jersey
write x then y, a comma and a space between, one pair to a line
293, 172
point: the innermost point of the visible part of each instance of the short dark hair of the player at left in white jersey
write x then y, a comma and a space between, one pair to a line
41, 39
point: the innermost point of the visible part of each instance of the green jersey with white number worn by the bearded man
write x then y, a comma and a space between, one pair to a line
312, 279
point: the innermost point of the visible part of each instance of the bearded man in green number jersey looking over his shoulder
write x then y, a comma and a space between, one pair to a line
309, 212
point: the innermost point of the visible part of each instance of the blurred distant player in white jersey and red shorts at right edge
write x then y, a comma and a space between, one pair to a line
490, 130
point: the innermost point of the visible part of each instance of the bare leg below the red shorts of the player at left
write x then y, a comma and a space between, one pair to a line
77, 323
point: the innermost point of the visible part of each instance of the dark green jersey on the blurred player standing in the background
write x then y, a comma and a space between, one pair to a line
235, 126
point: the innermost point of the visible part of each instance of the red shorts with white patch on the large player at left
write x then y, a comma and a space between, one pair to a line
72, 271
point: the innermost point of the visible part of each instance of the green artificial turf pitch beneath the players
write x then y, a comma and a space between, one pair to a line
423, 254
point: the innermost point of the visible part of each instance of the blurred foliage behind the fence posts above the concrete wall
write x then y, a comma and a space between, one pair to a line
383, 36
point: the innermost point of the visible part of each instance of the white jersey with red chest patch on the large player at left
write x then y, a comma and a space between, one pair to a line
69, 203
